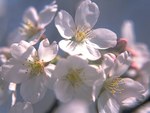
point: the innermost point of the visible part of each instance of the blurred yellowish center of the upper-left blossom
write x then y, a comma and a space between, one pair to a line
29, 28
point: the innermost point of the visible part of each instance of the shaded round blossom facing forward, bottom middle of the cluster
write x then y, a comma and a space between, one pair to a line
75, 79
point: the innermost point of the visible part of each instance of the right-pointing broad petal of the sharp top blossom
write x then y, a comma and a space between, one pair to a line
104, 38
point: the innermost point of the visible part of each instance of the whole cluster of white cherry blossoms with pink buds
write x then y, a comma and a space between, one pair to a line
98, 67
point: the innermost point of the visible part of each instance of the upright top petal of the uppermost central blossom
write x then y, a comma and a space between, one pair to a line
87, 14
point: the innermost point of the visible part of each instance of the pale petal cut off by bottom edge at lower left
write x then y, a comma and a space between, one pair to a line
21, 107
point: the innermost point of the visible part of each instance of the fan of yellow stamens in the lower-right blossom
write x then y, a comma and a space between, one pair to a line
113, 85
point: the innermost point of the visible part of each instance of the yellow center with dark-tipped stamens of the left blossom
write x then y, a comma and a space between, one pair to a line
36, 67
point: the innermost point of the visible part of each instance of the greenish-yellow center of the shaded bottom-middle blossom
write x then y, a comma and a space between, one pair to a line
73, 77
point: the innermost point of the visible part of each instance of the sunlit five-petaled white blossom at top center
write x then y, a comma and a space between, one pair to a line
79, 37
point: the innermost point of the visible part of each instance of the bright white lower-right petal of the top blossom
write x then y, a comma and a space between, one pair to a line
90, 52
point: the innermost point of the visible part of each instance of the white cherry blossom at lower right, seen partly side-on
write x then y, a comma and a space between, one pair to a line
114, 89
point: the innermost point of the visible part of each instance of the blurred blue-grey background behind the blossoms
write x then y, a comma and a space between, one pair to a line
112, 15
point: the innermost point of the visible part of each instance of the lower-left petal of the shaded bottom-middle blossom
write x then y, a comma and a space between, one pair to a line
63, 90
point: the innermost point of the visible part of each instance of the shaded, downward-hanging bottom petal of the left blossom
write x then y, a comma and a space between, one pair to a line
33, 89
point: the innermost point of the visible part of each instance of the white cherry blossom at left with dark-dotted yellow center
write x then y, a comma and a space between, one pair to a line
31, 68
